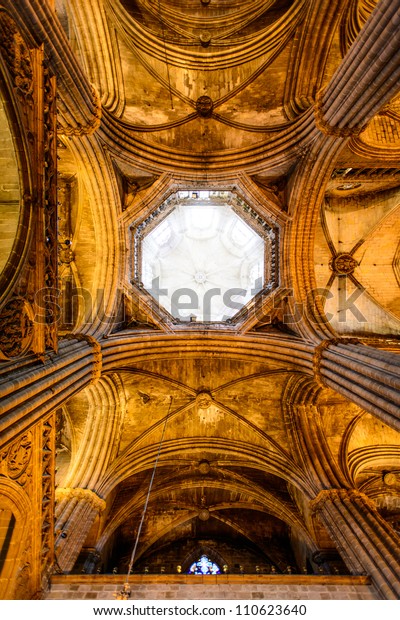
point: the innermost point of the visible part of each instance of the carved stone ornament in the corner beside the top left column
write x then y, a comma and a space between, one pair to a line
17, 57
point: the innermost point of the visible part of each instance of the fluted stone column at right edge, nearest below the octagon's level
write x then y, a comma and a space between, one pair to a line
367, 376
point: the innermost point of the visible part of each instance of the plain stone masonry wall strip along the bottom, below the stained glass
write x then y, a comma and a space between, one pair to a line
231, 587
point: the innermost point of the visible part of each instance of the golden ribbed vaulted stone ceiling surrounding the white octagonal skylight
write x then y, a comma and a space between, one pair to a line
220, 95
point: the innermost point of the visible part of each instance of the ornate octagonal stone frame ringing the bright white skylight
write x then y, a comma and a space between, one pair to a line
268, 232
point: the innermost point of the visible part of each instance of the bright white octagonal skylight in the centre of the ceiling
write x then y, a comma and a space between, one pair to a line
200, 259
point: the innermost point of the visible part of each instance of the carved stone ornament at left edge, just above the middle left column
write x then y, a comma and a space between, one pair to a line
16, 327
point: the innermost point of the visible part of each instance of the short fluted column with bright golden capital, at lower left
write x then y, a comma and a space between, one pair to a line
76, 512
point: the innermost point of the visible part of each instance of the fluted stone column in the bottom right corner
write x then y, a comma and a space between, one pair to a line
364, 539
